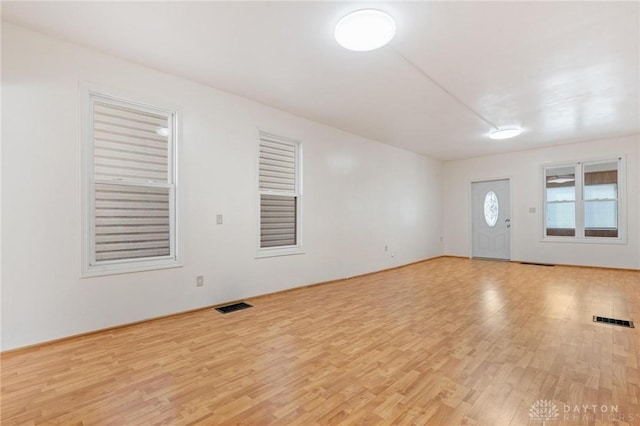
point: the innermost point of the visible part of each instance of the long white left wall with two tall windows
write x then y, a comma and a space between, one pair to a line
358, 196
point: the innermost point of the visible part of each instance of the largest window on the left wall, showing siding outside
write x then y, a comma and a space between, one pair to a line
130, 180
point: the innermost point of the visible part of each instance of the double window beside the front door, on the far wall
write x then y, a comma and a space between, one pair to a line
582, 200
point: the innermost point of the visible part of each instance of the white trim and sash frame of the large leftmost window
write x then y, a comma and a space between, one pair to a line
89, 268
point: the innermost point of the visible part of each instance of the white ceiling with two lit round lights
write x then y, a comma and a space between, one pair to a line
563, 71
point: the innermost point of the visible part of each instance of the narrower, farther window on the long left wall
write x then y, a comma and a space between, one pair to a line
279, 187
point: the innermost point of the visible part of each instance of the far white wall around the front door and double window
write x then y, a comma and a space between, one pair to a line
524, 169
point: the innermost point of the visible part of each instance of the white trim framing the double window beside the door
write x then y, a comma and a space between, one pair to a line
580, 202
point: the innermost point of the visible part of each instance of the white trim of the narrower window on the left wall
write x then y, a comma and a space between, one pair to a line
264, 252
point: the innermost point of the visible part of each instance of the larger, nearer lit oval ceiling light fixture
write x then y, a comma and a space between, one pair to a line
365, 29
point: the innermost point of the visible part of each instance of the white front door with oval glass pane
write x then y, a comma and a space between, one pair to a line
491, 219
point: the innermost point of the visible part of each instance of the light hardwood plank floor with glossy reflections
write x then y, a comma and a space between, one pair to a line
447, 341
